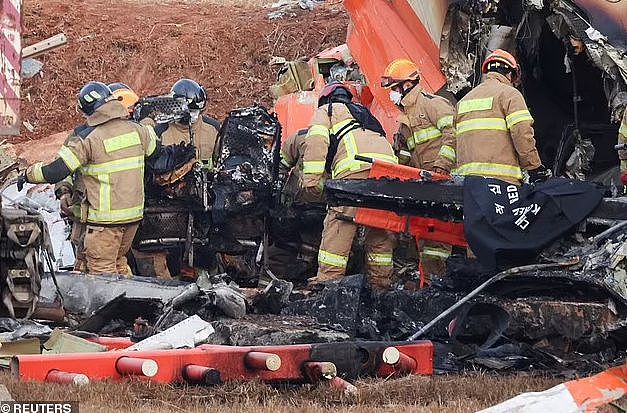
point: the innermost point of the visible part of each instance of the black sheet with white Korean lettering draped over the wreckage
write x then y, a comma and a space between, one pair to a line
508, 225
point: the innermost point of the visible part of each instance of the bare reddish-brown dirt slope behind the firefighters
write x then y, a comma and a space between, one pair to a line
225, 45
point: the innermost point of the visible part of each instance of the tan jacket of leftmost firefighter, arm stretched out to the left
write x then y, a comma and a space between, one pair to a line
110, 157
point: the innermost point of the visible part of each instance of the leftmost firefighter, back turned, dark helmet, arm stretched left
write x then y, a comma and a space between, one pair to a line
110, 156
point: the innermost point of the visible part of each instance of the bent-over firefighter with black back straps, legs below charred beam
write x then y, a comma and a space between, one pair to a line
335, 137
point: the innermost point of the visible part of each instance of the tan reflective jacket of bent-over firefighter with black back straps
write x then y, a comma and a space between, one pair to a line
352, 142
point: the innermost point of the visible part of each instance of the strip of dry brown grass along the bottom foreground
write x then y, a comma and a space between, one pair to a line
417, 394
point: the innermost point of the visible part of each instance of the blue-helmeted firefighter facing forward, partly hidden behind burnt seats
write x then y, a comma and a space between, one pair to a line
204, 132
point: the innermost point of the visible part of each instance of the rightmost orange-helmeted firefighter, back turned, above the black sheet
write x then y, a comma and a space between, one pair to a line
494, 129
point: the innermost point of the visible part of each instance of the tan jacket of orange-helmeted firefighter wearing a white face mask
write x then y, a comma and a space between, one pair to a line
426, 131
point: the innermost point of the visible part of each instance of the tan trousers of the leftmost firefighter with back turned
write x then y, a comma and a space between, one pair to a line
106, 248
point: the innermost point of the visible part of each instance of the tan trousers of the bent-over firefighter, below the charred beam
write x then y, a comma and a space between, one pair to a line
337, 240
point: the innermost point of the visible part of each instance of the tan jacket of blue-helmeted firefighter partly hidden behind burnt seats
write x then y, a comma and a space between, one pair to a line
205, 136
